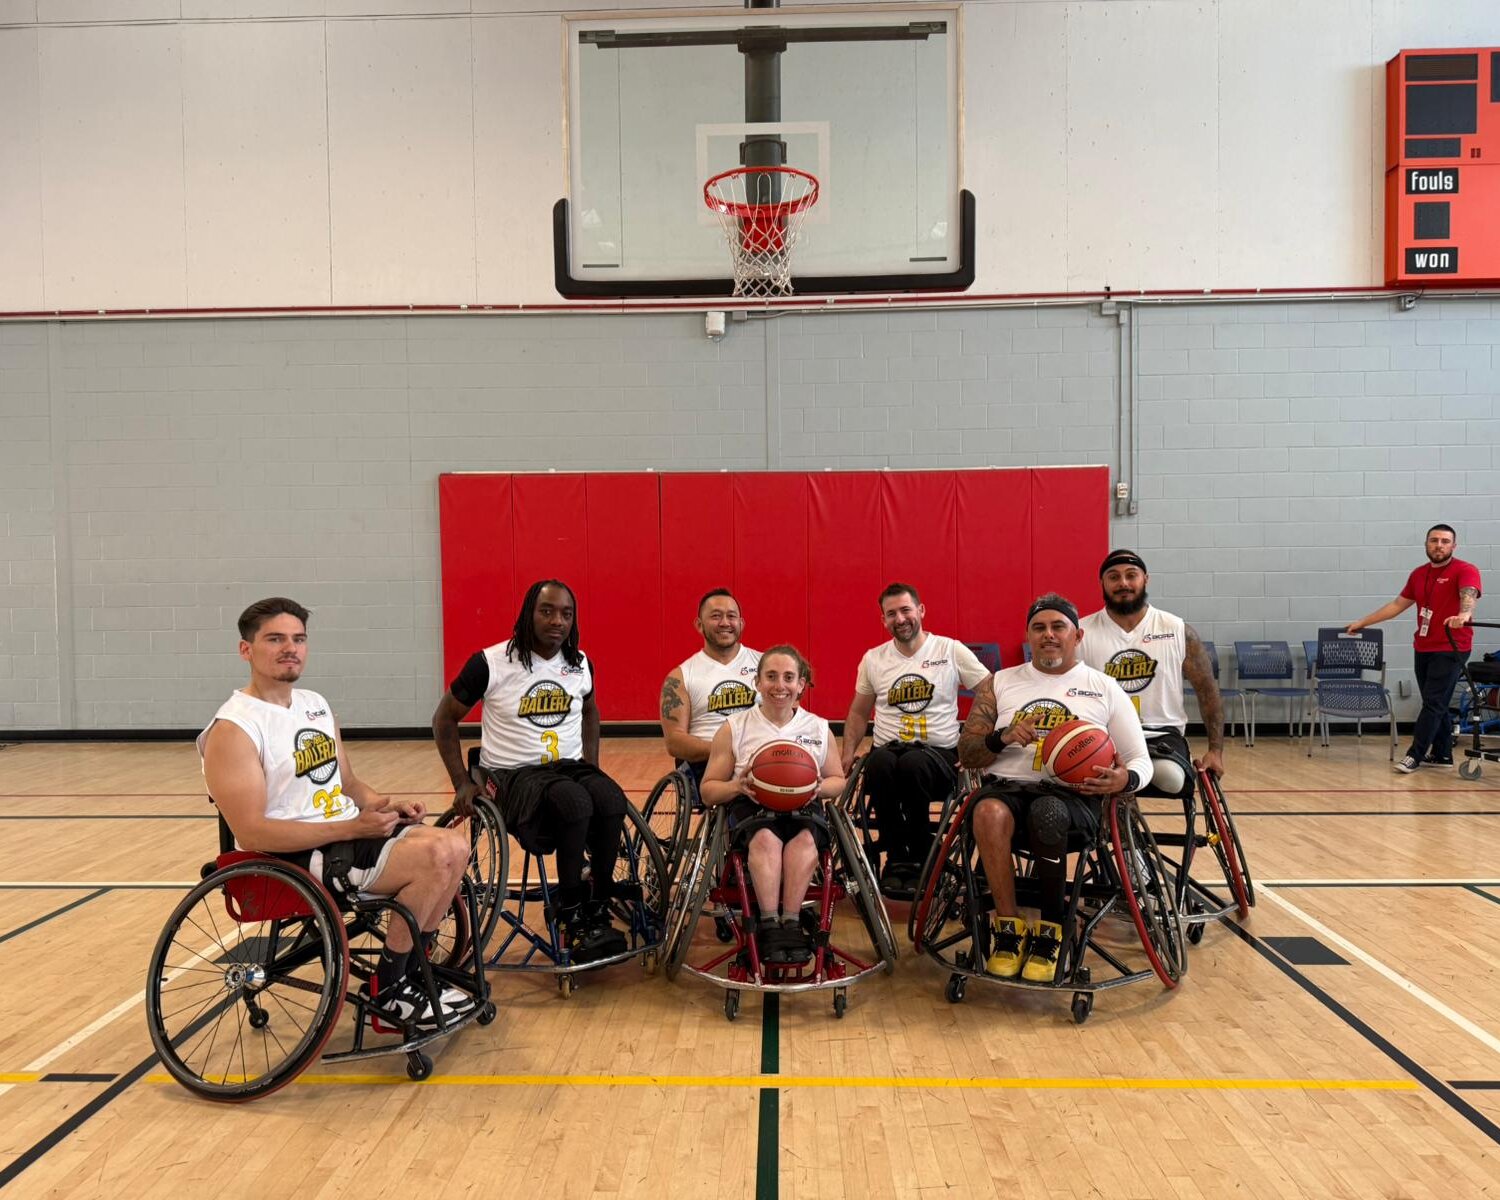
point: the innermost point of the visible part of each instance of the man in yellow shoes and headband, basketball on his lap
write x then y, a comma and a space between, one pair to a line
1012, 716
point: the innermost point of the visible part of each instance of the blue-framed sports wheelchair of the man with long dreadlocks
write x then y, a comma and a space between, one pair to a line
523, 913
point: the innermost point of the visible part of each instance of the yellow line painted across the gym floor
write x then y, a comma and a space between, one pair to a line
905, 1082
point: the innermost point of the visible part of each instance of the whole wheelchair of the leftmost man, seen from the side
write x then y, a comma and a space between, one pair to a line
250, 977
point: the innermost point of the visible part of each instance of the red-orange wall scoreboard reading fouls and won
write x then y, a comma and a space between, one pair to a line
1444, 167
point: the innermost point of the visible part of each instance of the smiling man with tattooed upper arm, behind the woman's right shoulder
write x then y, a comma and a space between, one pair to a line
706, 691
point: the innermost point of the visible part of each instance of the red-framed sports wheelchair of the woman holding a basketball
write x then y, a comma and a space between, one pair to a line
716, 880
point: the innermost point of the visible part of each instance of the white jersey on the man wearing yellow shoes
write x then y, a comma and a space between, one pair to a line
1052, 700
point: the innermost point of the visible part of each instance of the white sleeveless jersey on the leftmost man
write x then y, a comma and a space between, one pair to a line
299, 749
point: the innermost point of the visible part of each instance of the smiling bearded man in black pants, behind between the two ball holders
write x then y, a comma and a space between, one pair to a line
911, 686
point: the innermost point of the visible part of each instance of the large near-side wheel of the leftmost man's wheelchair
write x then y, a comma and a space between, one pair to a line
247, 980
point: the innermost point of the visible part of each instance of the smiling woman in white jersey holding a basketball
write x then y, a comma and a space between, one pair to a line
782, 827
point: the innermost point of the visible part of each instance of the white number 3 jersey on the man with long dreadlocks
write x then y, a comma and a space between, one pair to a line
533, 716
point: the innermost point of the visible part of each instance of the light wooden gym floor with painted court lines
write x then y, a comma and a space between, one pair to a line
1262, 1076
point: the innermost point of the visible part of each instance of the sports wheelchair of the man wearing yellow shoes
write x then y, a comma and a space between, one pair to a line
1117, 874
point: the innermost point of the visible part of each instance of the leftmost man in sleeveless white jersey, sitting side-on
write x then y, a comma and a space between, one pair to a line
280, 776
